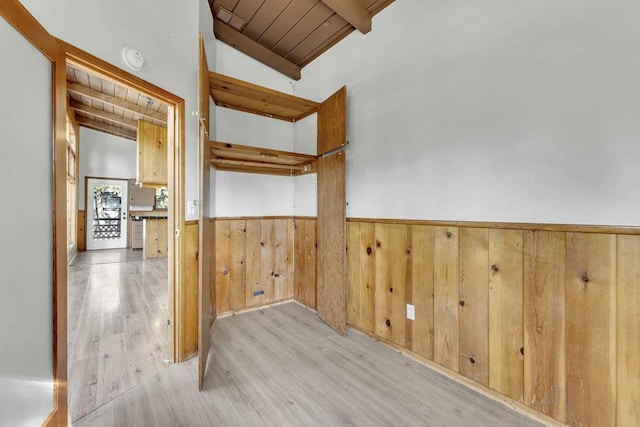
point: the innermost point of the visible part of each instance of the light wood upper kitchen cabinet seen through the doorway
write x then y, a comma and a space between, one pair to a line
151, 159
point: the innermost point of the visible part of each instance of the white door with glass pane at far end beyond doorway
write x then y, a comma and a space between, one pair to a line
107, 202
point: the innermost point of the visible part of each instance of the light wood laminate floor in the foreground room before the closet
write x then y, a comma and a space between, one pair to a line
283, 366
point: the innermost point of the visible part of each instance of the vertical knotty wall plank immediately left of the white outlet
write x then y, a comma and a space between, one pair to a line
400, 255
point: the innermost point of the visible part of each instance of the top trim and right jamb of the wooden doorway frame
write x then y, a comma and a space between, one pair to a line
176, 212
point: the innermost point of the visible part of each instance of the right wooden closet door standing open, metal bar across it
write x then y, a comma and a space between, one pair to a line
332, 254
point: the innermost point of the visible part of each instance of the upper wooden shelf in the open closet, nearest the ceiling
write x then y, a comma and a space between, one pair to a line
247, 97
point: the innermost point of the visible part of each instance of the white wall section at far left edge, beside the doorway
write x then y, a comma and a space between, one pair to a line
26, 329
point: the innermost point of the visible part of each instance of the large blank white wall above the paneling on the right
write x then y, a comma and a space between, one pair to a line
502, 110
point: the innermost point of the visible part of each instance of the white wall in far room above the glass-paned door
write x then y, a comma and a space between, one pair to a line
104, 156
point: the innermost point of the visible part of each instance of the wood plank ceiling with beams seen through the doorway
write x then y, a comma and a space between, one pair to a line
102, 105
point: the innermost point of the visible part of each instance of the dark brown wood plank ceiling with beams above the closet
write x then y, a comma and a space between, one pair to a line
288, 34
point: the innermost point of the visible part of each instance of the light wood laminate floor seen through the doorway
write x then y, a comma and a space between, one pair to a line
117, 325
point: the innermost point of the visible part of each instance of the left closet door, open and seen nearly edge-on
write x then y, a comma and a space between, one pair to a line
205, 312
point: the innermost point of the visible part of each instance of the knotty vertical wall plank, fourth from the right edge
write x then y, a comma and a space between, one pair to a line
506, 342
